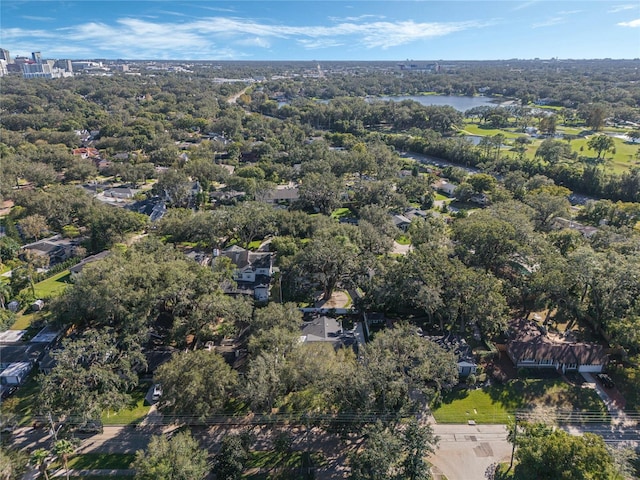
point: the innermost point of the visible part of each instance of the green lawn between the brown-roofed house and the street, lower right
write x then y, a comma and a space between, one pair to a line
494, 404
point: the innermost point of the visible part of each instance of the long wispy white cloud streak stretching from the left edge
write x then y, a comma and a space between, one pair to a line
212, 37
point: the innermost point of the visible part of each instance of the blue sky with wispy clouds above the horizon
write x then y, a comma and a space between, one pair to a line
321, 30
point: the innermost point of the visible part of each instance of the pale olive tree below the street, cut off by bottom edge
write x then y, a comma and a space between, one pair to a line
178, 458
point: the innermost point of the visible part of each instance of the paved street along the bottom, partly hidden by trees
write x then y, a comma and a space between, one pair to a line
464, 453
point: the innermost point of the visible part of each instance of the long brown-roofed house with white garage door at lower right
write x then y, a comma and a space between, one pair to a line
531, 347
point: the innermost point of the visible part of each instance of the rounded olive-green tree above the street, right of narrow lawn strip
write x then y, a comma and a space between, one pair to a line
195, 383
